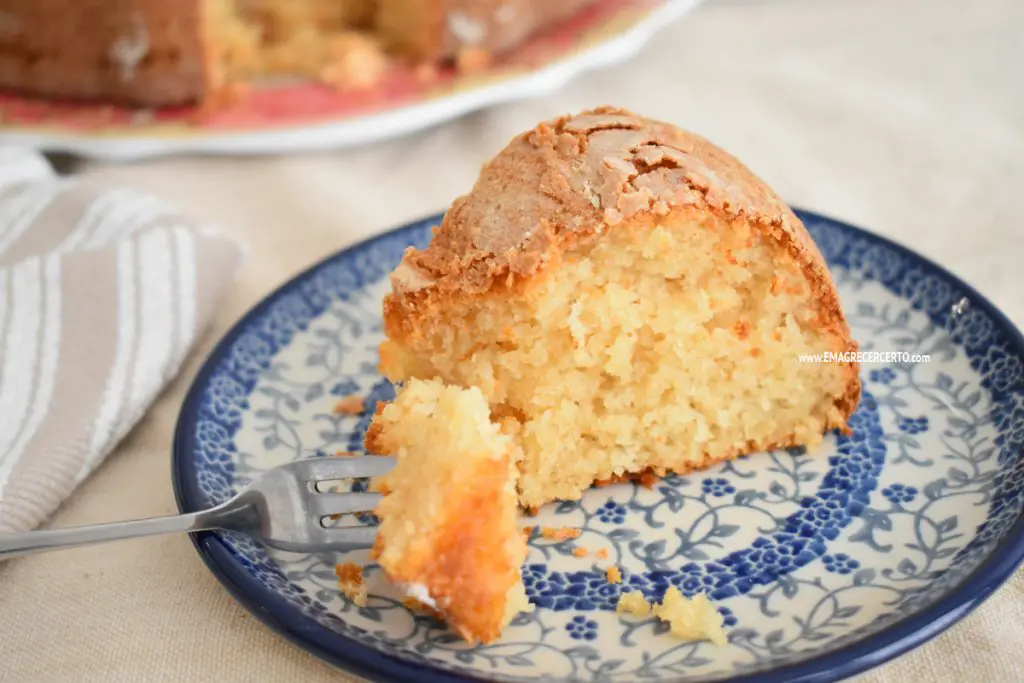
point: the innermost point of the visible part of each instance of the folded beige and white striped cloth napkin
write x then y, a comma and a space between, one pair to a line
103, 292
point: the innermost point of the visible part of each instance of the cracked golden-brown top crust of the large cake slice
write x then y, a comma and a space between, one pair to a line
565, 184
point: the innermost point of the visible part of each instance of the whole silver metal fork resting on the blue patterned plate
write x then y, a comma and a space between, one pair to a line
283, 509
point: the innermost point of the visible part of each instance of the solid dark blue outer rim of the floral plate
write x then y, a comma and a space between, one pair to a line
277, 613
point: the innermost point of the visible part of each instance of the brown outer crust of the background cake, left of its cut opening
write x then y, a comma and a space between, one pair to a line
148, 53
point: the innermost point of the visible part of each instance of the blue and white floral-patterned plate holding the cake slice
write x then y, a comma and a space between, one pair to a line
824, 565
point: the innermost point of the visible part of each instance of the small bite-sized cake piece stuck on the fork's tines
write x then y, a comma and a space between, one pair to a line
449, 519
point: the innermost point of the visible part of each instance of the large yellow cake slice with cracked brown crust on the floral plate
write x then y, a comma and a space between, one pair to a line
630, 296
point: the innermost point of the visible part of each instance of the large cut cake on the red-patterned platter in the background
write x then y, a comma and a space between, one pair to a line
169, 53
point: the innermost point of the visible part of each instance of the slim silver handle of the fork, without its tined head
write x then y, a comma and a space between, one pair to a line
14, 545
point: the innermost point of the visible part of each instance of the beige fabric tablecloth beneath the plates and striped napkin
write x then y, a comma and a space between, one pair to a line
904, 116
